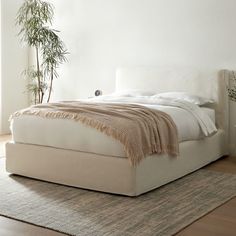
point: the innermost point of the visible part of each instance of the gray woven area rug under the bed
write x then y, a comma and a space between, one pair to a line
74, 211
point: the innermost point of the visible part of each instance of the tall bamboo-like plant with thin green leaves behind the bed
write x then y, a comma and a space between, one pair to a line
35, 19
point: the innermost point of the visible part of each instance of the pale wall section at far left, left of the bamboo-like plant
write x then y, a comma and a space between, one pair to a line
14, 60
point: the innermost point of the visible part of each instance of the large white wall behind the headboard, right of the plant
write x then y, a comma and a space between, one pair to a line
104, 34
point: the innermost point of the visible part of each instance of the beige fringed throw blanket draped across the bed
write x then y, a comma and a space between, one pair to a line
142, 131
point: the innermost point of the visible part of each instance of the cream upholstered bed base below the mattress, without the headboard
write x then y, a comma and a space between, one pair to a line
108, 173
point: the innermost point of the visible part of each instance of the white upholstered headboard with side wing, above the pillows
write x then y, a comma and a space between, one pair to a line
208, 83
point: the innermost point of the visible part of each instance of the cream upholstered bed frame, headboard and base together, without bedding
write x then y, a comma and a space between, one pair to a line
115, 174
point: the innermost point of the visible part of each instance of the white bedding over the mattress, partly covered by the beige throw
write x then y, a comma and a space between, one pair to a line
192, 123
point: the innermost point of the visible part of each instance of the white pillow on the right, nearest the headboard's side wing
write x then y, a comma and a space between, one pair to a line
200, 101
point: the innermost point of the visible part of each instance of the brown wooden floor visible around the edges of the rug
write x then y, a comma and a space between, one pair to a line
220, 222
